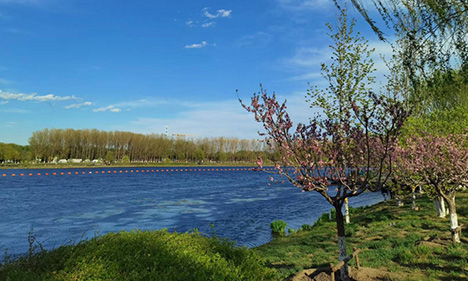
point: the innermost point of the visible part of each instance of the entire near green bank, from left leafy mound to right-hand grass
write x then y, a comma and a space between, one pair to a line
404, 243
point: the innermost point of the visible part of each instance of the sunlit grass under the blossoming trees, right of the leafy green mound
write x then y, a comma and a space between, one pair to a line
410, 245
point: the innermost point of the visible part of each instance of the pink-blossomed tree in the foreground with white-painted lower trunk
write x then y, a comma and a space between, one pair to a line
349, 147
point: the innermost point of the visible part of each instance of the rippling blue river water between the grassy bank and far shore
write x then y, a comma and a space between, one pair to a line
81, 203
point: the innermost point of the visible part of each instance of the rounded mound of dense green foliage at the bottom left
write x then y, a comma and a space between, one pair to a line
157, 255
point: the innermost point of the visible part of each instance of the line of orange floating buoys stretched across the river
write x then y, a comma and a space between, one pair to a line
160, 170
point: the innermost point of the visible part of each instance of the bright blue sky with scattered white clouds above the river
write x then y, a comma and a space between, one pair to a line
142, 65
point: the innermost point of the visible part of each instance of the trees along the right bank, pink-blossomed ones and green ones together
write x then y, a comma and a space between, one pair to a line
369, 141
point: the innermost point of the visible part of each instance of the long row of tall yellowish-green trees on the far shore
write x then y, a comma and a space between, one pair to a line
48, 144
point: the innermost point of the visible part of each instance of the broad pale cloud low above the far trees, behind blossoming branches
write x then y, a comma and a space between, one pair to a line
214, 119
